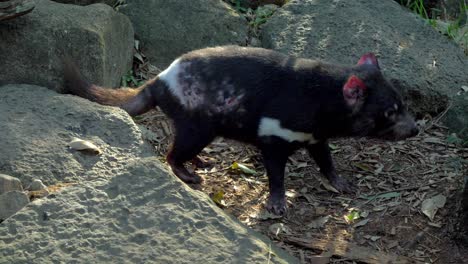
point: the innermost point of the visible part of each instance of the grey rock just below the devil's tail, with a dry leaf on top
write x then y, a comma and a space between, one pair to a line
37, 124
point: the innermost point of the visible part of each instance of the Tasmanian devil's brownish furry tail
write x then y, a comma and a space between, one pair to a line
135, 101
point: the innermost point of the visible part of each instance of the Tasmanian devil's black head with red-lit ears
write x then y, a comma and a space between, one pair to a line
377, 109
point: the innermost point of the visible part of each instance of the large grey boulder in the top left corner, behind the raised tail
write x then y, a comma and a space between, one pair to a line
97, 37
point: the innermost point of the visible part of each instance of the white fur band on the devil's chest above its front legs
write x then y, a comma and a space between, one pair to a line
272, 127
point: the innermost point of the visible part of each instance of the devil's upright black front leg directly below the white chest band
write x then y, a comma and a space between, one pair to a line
275, 157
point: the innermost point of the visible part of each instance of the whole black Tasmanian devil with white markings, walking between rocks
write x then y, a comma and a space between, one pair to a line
275, 102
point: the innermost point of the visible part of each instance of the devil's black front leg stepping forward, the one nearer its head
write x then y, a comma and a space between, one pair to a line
321, 154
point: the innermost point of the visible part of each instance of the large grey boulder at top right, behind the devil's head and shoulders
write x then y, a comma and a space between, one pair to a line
429, 68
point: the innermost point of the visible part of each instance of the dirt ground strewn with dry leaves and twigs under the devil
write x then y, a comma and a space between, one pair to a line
393, 179
